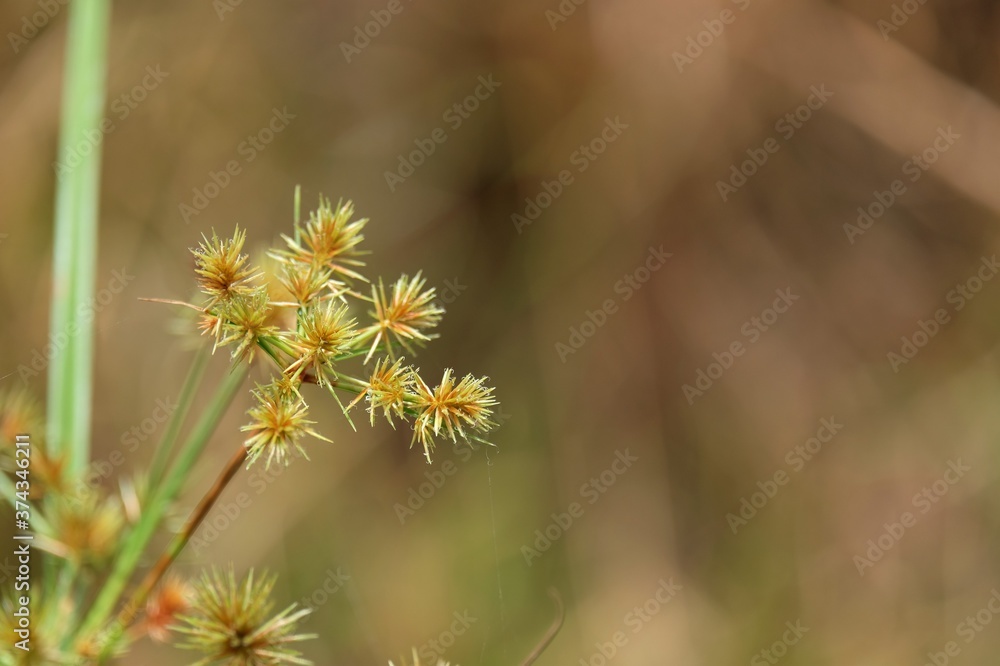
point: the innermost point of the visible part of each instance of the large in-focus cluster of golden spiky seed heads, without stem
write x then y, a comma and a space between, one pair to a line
331, 321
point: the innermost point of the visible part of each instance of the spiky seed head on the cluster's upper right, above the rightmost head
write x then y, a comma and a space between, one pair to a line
404, 317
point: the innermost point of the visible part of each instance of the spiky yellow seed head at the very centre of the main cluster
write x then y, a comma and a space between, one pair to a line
325, 332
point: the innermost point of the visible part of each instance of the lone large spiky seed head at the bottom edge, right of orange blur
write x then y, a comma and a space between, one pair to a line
230, 622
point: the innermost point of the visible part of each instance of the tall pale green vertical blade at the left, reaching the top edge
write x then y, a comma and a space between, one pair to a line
71, 325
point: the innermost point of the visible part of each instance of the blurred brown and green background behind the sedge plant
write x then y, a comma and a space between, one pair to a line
539, 161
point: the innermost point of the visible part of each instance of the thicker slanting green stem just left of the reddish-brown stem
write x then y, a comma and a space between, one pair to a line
137, 540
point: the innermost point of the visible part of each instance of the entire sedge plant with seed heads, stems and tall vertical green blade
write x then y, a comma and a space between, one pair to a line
86, 609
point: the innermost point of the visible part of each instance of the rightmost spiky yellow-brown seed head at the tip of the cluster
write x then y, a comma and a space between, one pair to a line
457, 410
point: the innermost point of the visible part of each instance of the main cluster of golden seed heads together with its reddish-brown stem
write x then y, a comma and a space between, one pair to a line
315, 349
